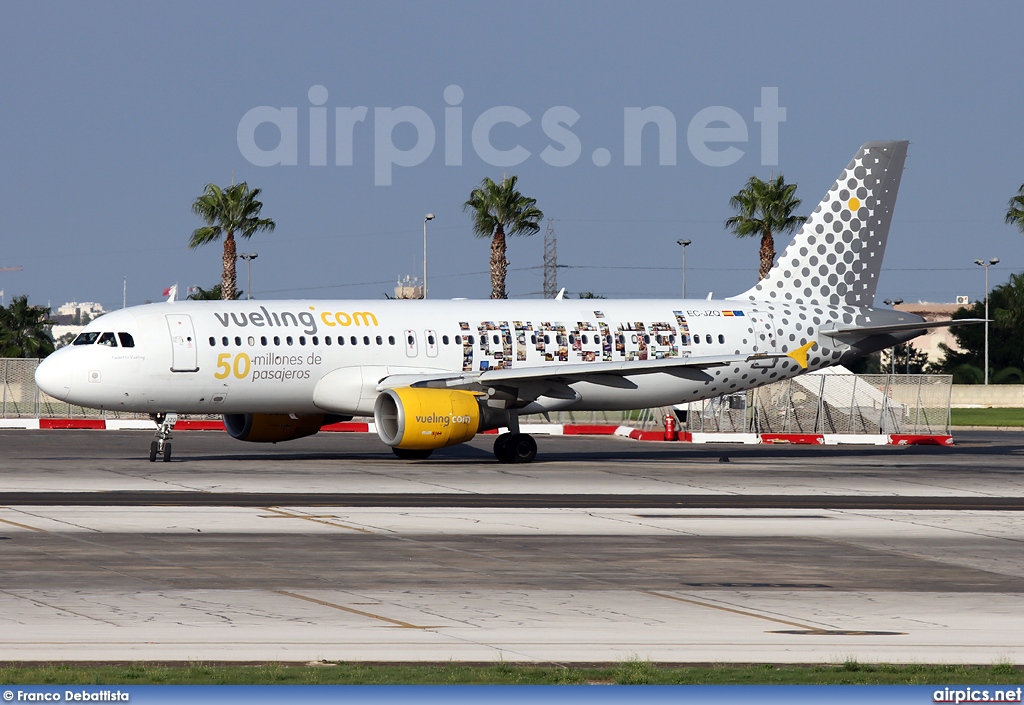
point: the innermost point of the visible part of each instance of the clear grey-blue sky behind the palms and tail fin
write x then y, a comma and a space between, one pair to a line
115, 116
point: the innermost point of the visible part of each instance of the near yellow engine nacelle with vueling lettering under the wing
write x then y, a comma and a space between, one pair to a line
425, 420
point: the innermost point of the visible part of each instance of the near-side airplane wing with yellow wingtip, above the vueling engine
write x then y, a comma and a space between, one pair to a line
603, 372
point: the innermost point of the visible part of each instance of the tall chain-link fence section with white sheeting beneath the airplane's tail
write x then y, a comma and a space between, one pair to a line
832, 404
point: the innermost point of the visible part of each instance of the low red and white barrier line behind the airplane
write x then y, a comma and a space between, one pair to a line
537, 429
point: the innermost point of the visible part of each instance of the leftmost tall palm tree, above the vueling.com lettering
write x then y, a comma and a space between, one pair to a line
227, 213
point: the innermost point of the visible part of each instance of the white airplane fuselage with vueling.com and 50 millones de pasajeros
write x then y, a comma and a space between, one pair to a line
270, 357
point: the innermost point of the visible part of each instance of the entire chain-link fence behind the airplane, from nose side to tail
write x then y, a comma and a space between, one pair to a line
821, 403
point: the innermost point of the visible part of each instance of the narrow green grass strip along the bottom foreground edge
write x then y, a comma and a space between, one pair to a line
628, 673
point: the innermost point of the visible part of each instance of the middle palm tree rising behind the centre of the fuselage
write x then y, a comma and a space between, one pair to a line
498, 210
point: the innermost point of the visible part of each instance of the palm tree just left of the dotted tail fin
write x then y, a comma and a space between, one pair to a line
765, 209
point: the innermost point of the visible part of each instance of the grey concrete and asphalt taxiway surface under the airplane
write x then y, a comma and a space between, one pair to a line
605, 550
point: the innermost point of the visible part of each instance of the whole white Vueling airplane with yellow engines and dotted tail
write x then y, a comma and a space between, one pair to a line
436, 374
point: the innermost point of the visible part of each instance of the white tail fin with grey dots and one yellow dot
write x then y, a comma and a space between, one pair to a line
837, 257
